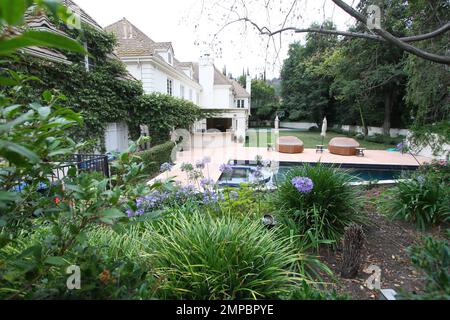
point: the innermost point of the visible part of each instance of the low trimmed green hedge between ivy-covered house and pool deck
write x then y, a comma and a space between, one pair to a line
156, 156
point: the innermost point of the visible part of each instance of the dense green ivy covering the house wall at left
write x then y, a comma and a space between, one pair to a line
106, 93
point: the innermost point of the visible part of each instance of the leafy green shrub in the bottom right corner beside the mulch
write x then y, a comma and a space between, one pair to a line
432, 257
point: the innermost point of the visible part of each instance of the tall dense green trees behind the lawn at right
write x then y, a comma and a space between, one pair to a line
373, 83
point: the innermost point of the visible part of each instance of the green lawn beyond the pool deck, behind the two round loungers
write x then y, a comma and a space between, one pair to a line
311, 139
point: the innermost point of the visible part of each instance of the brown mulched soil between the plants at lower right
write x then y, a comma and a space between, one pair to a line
386, 244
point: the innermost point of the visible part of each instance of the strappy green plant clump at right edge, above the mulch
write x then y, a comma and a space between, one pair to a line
422, 199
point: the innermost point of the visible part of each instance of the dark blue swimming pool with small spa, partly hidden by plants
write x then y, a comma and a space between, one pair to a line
376, 173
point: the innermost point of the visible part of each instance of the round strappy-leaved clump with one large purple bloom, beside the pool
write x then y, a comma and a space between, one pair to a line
320, 200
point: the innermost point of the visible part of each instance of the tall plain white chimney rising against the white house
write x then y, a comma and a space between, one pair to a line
206, 80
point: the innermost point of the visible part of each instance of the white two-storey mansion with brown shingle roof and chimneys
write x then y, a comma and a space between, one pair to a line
154, 64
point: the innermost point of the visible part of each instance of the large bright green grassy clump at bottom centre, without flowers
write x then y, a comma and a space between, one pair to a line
203, 258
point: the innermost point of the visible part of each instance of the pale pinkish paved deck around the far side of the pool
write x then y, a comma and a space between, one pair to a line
235, 151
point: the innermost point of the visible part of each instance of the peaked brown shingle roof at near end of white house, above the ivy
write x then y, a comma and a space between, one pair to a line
133, 42
